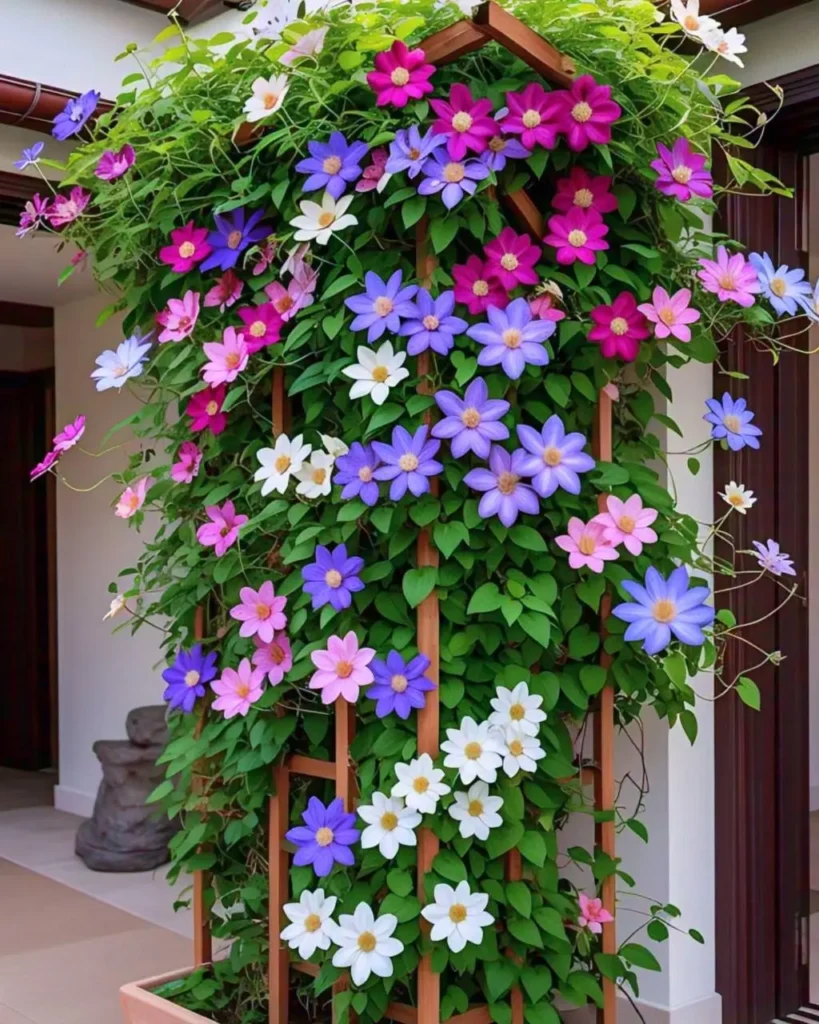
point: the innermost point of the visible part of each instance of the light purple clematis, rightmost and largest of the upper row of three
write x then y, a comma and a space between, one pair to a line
513, 338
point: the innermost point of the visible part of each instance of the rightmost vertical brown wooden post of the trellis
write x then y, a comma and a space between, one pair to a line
605, 738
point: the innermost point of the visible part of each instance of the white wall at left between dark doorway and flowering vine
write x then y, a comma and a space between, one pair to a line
102, 674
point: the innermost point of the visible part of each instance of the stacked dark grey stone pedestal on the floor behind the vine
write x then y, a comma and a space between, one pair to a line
124, 834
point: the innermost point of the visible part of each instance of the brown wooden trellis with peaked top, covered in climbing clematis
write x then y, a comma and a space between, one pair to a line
490, 24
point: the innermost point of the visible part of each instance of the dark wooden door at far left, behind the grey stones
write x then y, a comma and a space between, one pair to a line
25, 623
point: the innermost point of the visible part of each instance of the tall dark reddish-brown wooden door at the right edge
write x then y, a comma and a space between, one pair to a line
762, 759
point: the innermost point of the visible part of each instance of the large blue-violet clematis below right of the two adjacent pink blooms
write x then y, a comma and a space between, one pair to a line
664, 608
